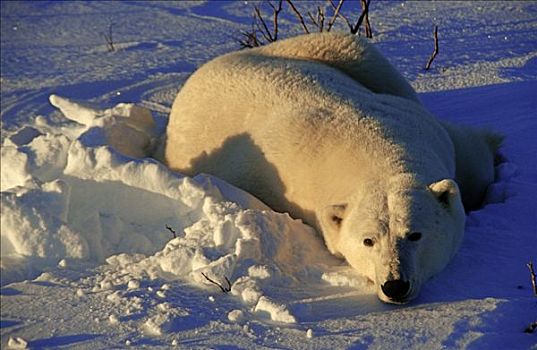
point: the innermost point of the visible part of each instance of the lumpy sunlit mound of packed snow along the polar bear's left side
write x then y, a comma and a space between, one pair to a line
83, 191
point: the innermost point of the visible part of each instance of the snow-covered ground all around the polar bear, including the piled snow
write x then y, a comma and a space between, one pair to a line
87, 258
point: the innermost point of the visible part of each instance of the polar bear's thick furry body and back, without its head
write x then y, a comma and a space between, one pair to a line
294, 130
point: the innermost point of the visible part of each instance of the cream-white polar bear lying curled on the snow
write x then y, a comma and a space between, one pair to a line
323, 127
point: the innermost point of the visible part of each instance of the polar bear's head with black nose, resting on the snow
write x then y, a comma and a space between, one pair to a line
398, 236
